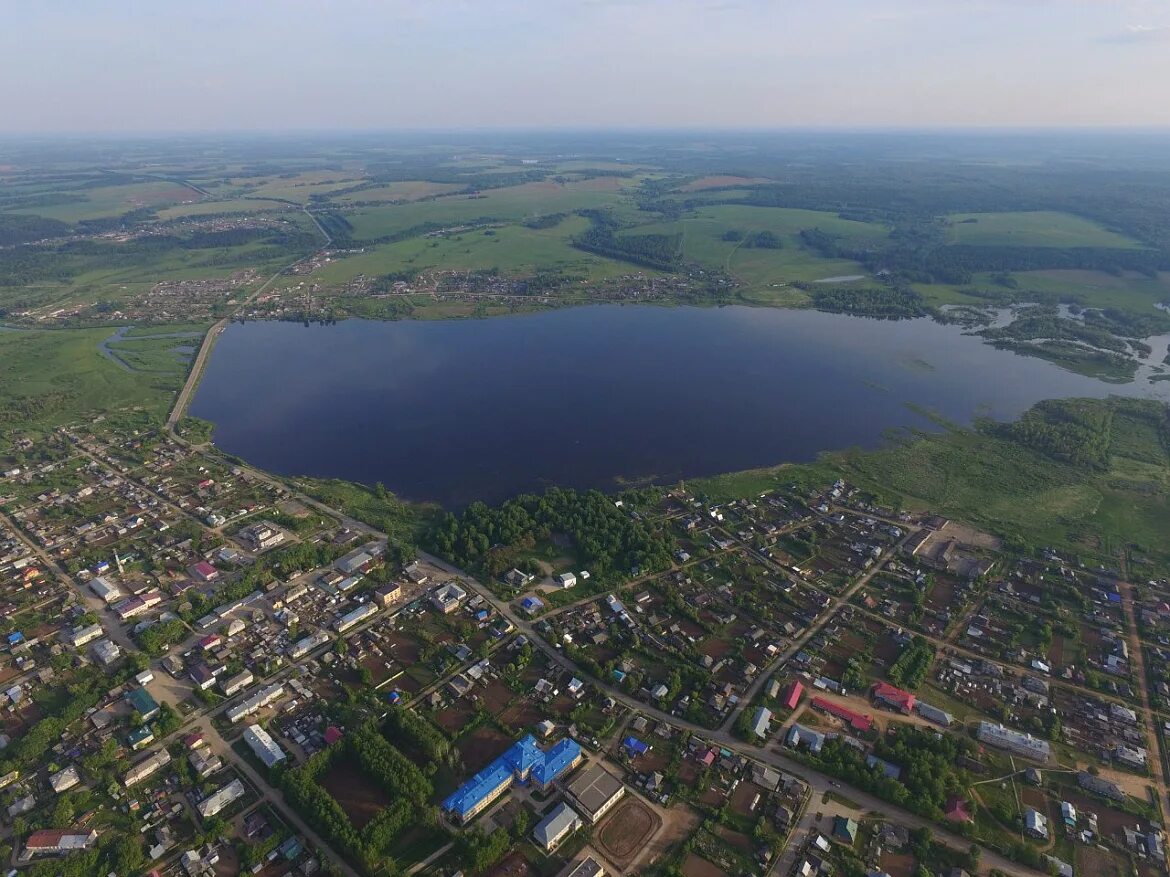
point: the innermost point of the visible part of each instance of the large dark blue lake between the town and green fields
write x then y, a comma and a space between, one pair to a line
596, 397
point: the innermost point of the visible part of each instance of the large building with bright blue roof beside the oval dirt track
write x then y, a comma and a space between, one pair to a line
525, 762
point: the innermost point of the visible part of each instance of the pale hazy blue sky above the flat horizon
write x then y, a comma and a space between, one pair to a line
156, 66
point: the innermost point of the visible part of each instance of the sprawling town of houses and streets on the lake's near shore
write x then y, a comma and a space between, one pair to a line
184, 633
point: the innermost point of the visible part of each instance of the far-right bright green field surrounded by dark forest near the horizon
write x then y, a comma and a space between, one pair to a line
1033, 229
